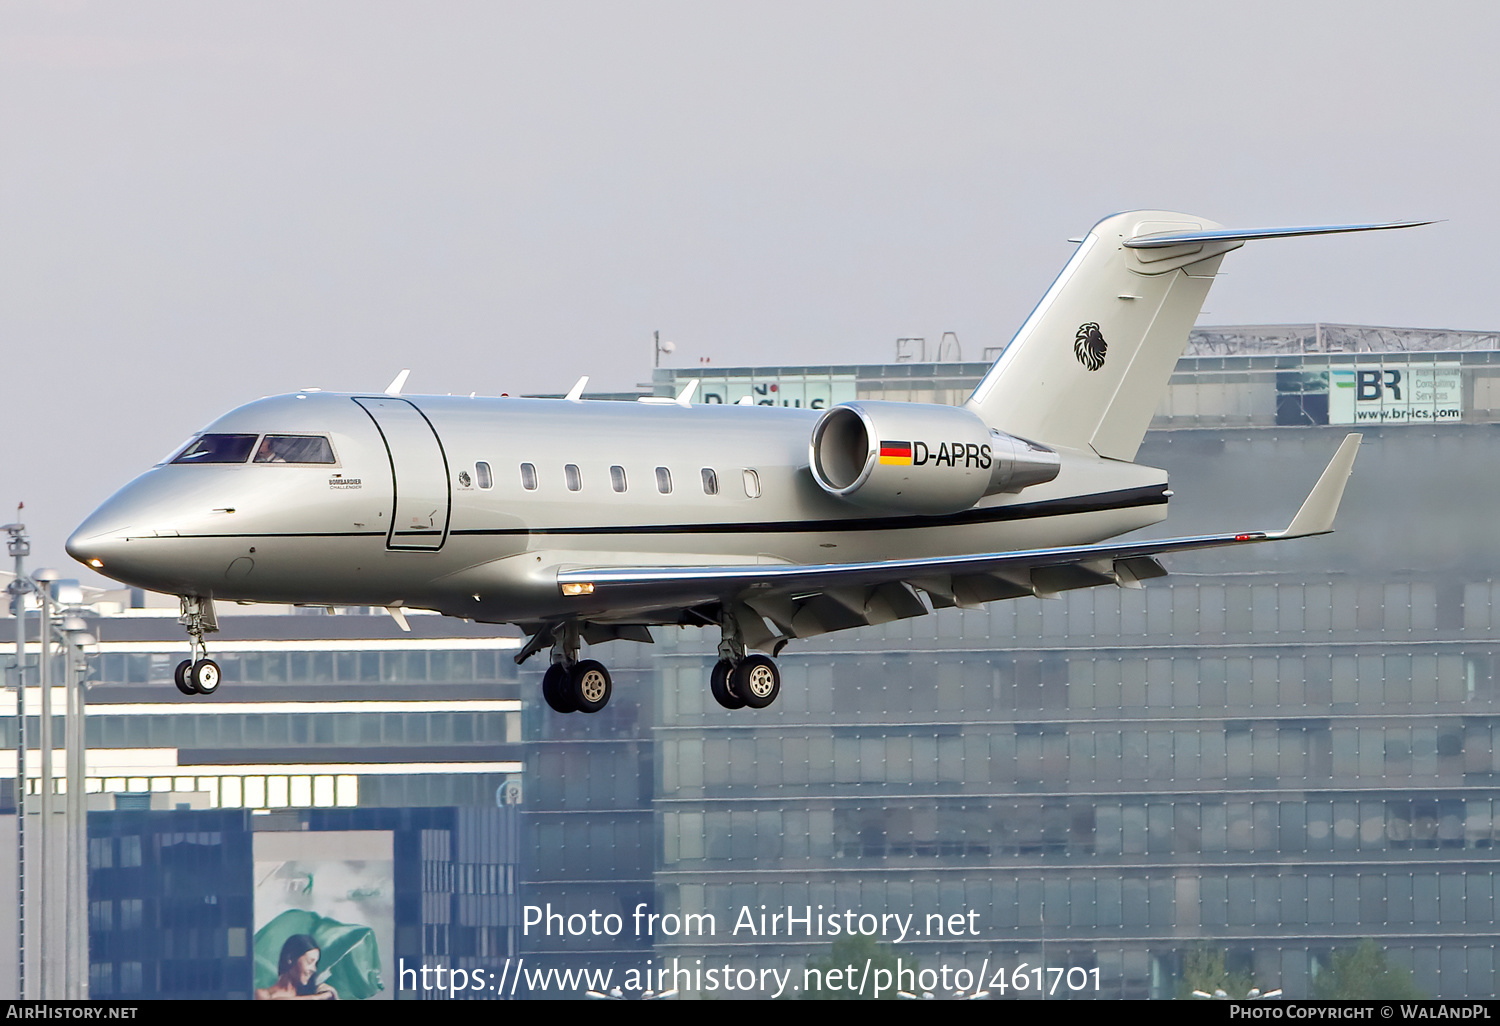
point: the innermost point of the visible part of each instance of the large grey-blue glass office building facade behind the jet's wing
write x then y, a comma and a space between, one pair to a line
1274, 752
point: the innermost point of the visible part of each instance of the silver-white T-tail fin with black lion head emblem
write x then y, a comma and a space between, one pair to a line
1090, 365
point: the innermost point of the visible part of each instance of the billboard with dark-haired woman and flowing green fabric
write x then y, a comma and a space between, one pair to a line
325, 916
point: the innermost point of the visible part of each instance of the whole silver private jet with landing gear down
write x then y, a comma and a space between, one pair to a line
593, 521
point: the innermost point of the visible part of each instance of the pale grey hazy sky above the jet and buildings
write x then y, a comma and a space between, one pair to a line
205, 203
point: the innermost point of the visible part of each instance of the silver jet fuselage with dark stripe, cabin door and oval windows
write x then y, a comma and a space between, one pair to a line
472, 505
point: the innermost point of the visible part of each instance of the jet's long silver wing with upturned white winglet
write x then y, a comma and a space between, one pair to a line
803, 601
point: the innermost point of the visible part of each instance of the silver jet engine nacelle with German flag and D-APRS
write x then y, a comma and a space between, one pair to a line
920, 458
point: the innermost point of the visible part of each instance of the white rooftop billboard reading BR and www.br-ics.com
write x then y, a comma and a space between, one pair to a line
1396, 394
